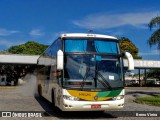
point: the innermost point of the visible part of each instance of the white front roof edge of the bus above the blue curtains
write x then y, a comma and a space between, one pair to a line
85, 35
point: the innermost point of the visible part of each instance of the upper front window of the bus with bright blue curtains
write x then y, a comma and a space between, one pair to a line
91, 45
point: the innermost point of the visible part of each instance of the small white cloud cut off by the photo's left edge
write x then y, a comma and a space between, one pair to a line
5, 32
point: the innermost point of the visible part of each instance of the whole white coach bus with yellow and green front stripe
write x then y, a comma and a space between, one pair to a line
83, 72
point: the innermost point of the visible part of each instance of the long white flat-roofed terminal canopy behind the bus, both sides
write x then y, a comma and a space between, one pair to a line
31, 60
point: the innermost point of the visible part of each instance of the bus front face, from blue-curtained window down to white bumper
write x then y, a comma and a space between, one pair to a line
92, 75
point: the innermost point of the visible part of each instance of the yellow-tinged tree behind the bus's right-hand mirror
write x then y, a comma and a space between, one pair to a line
127, 45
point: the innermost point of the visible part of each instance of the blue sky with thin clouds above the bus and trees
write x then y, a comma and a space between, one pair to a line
44, 20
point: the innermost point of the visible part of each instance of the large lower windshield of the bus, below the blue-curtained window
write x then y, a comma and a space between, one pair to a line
90, 71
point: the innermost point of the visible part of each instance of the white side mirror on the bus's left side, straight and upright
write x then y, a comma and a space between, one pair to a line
60, 58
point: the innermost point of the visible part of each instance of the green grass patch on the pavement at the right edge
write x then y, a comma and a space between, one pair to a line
155, 100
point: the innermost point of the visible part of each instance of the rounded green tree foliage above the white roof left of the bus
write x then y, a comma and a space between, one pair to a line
30, 47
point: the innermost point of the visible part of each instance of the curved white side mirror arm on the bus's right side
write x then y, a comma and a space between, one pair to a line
130, 61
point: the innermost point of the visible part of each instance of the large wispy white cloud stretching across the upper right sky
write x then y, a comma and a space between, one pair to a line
106, 21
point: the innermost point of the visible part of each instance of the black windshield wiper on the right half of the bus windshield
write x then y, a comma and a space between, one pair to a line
104, 82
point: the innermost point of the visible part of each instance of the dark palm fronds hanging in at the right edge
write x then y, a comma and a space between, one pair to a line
155, 37
